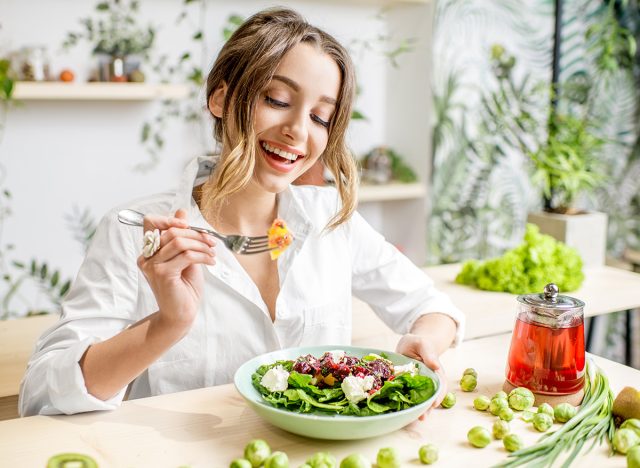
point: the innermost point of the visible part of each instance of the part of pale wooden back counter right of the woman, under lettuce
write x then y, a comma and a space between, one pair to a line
605, 290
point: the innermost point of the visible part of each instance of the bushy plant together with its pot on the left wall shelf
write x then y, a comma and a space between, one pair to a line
117, 38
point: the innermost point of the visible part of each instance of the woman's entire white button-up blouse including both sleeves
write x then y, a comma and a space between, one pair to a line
319, 273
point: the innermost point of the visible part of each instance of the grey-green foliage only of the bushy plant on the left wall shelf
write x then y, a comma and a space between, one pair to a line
114, 31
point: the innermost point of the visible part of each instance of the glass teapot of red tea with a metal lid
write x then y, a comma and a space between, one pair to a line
547, 352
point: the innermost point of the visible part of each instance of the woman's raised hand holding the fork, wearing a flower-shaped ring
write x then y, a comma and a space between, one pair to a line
174, 271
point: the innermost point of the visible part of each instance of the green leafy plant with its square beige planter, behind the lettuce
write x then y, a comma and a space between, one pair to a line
563, 156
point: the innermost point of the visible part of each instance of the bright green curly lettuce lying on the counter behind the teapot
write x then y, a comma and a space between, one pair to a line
527, 268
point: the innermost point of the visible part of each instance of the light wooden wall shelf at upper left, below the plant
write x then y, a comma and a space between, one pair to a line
58, 91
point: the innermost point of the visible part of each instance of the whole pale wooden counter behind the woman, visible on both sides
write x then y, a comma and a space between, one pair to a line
605, 290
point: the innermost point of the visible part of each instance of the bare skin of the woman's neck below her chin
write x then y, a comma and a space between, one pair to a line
249, 212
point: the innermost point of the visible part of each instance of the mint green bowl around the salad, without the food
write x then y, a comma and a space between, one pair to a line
321, 425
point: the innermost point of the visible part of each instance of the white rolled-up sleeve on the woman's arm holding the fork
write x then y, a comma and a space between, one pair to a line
99, 305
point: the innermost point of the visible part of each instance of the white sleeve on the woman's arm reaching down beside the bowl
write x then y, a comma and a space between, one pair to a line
397, 290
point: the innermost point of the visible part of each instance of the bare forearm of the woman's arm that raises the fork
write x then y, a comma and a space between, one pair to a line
112, 364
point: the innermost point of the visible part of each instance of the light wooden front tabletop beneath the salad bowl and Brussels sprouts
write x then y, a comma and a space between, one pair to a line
209, 427
